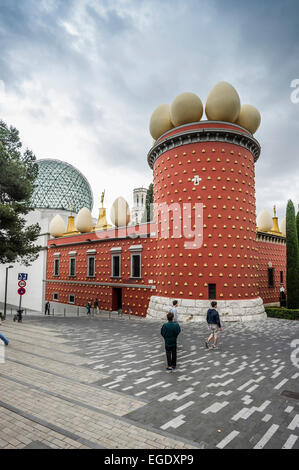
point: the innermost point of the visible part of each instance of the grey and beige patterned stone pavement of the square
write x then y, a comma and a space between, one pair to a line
101, 383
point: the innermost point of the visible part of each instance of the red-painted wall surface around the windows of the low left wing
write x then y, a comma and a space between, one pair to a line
134, 298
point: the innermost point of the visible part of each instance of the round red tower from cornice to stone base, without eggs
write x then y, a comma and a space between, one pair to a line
209, 166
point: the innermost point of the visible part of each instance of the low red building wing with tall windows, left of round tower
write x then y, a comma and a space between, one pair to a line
102, 285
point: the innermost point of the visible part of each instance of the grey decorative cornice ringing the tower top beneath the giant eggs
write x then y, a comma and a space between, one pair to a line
204, 134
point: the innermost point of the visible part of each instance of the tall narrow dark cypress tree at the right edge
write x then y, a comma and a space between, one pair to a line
292, 258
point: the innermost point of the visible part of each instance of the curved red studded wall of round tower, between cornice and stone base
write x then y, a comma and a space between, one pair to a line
228, 255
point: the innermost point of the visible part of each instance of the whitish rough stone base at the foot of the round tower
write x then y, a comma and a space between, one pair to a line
196, 310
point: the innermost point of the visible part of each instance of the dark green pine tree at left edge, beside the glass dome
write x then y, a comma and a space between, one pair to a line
18, 172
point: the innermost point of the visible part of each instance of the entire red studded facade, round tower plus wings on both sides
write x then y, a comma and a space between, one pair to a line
223, 251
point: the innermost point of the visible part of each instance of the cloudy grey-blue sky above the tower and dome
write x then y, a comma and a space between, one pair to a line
81, 78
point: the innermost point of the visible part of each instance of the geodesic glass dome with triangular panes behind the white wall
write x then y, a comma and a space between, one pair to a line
58, 185
